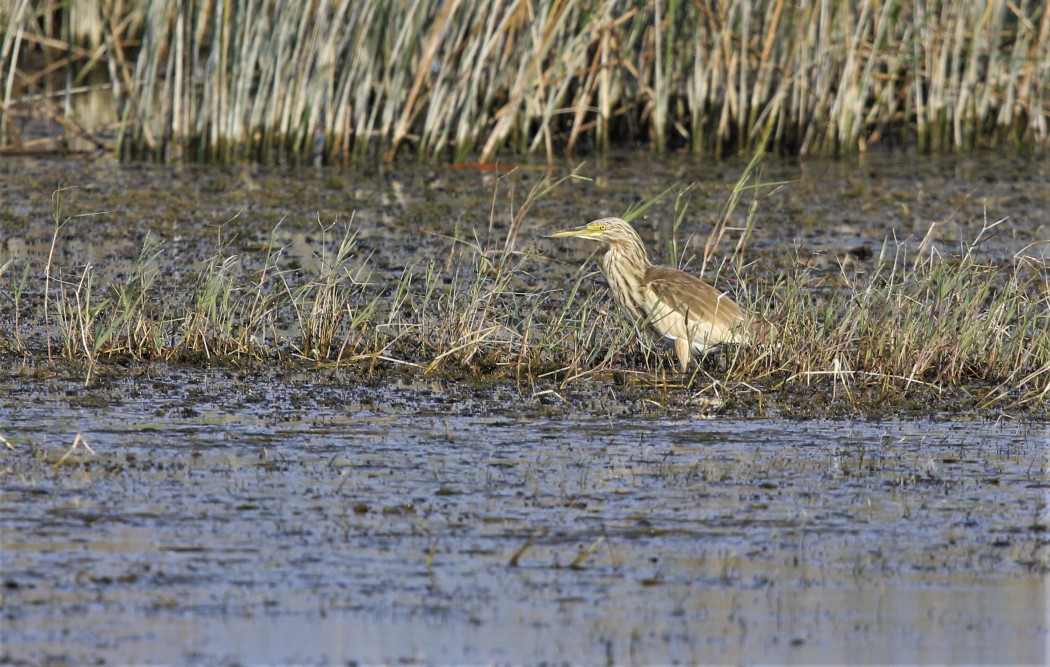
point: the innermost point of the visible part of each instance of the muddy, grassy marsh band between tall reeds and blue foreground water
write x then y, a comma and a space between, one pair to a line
446, 273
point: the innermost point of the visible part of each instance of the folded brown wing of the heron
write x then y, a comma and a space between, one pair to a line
689, 295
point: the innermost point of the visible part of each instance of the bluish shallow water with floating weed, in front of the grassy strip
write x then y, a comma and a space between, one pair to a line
234, 518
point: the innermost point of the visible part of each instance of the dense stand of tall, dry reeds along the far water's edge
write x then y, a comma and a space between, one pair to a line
458, 79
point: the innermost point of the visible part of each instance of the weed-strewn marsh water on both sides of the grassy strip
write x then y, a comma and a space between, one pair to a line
226, 513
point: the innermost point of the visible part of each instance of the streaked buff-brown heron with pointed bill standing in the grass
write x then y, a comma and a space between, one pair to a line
680, 307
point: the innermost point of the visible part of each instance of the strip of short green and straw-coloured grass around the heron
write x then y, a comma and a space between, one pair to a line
923, 326
